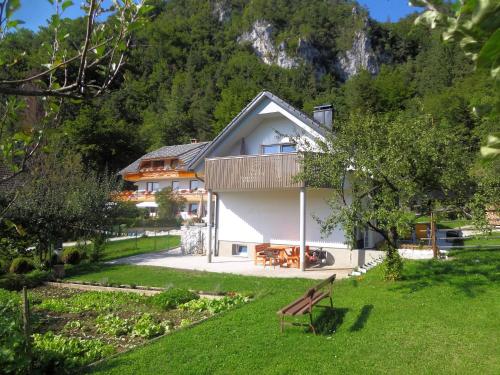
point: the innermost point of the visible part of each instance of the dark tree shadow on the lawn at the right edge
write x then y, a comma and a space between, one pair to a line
470, 271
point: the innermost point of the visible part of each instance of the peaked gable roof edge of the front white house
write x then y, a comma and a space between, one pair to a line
316, 126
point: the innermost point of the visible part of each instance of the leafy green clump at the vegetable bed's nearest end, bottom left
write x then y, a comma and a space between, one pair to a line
57, 353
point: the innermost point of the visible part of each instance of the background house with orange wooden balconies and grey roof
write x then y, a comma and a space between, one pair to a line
166, 167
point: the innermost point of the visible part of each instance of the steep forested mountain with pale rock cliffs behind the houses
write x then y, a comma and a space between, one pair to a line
198, 62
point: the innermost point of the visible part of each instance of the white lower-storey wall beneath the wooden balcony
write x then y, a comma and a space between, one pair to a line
273, 216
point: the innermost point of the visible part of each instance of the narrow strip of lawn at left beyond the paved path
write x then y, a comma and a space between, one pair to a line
125, 248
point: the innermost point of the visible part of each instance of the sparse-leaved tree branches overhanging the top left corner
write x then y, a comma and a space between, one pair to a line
73, 68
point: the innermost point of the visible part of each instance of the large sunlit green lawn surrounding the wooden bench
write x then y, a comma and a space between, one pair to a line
441, 319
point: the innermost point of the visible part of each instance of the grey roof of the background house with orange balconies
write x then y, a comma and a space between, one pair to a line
185, 153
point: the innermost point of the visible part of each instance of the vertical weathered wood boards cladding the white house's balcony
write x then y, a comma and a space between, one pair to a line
252, 172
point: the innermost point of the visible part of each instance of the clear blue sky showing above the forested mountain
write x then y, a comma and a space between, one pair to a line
36, 12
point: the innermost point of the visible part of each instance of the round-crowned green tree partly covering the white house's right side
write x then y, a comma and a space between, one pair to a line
382, 169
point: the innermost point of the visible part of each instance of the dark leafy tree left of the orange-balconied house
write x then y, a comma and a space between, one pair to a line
59, 198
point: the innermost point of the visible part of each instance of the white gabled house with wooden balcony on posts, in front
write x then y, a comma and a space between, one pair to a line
249, 172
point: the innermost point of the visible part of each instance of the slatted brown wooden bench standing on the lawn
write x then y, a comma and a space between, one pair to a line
305, 304
